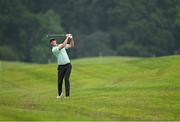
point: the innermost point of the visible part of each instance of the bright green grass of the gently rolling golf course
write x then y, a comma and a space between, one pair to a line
110, 88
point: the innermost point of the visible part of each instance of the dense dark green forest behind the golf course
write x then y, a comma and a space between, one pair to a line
142, 28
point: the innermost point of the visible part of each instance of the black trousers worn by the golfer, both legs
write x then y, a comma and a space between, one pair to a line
64, 72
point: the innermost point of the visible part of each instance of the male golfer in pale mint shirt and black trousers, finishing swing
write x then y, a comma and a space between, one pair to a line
64, 64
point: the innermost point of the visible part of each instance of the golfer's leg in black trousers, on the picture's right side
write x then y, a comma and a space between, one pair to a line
67, 82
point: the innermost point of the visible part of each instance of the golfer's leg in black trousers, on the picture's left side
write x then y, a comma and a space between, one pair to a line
61, 73
